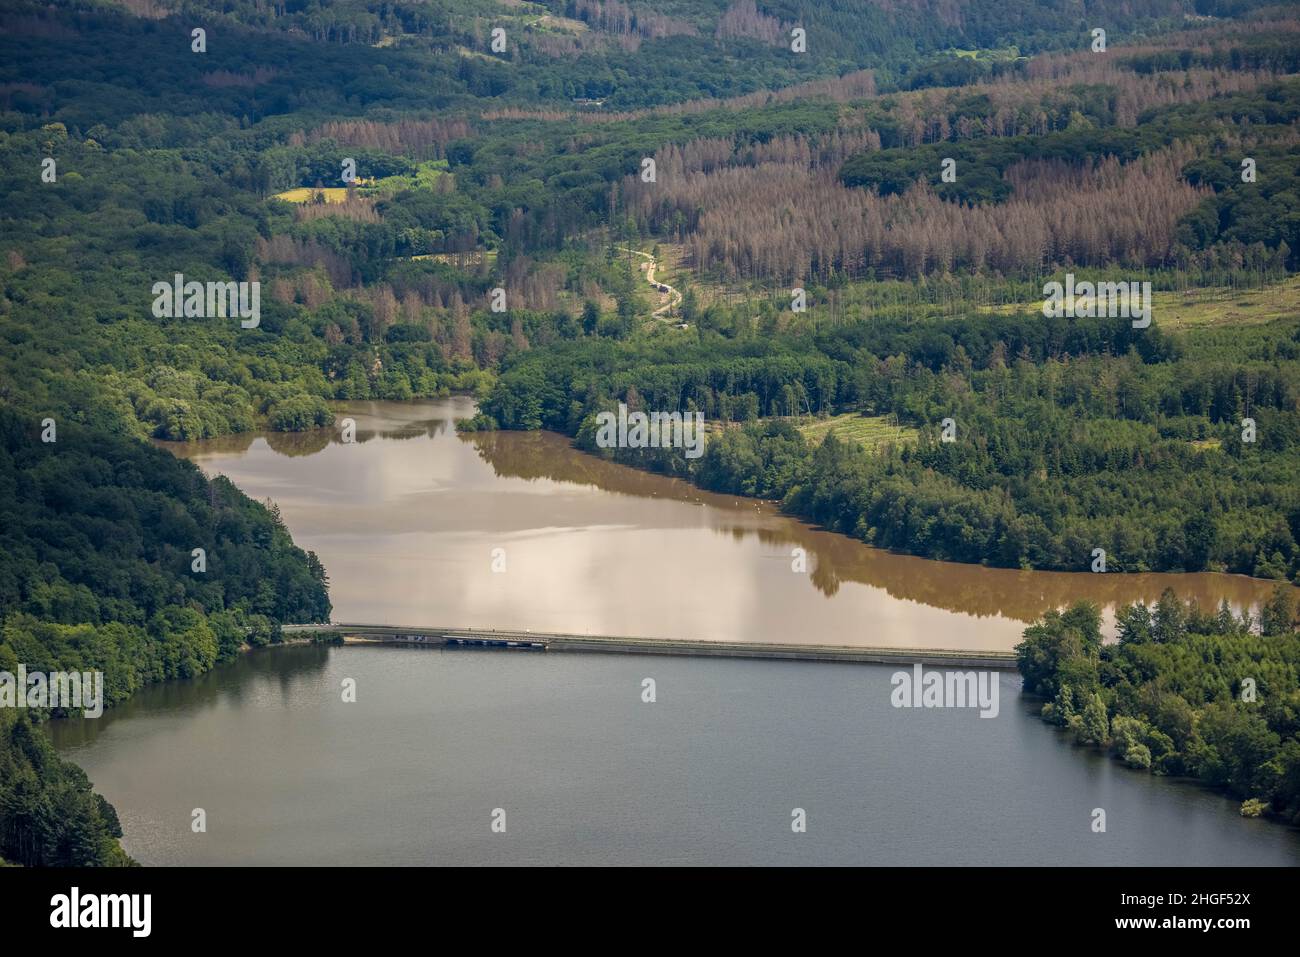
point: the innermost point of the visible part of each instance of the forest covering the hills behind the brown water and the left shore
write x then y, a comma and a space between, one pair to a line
135, 151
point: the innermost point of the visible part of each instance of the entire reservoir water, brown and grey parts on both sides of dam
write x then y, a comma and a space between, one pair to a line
406, 522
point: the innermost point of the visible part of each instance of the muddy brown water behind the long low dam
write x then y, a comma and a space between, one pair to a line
408, 518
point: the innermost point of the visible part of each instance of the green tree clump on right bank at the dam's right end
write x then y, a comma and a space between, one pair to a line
1184, 692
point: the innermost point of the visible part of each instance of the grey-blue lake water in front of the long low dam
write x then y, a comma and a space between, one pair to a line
587, 773
